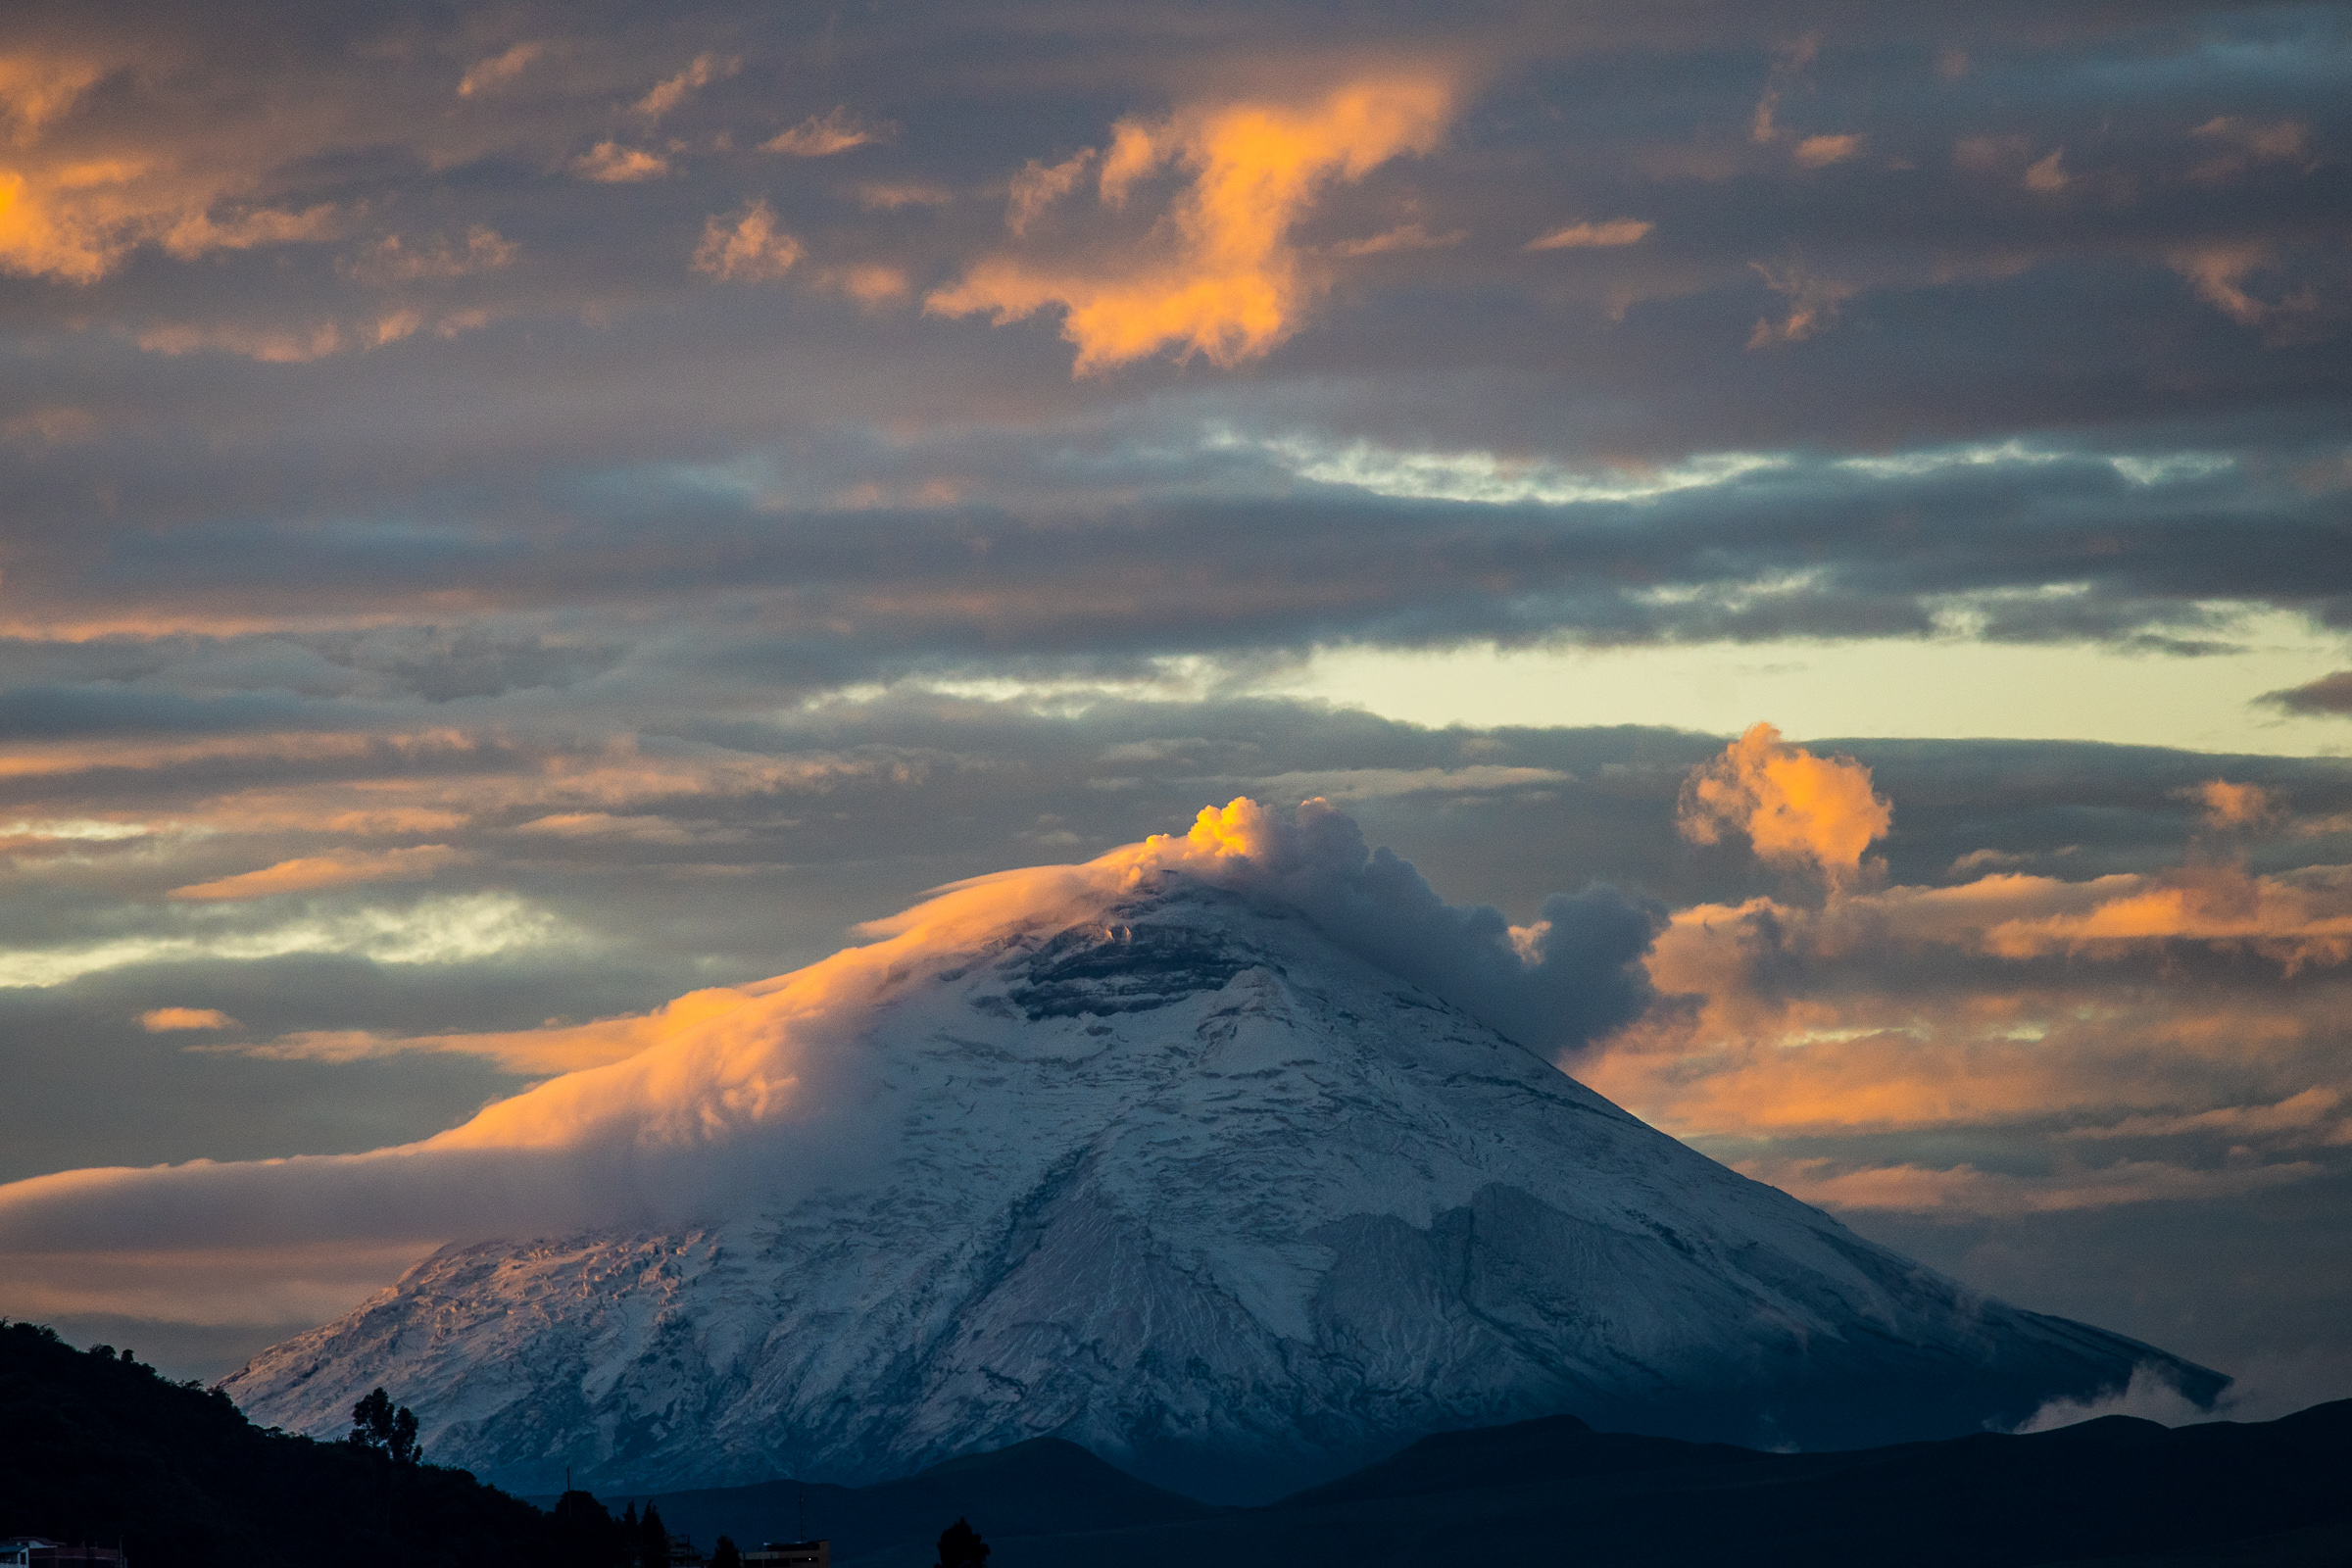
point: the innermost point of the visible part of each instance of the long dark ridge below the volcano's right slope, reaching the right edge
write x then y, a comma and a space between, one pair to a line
1553, 1492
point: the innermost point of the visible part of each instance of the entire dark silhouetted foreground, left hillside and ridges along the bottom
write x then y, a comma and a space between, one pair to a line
100, 1449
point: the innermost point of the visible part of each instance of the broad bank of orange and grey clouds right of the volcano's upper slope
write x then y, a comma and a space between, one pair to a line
1913, 1010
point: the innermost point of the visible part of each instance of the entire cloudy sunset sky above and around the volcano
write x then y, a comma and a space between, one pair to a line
516, 514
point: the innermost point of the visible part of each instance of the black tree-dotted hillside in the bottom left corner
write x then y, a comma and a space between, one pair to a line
102, 1449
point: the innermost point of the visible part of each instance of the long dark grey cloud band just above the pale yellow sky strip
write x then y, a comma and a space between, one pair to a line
2045, 547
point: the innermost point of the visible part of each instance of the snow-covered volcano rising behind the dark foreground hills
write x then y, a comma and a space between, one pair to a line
1151, 1155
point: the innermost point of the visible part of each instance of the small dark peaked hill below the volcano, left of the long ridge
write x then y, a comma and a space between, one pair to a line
1043, 1487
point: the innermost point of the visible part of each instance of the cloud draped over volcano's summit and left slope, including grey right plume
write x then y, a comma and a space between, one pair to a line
768, 1085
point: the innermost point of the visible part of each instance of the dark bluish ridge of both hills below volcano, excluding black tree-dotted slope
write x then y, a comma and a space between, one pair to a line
2109, 1494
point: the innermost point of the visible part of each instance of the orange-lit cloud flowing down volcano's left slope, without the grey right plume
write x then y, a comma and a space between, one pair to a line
780, 1071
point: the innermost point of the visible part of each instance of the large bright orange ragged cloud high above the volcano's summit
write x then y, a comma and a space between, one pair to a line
1220, 274
